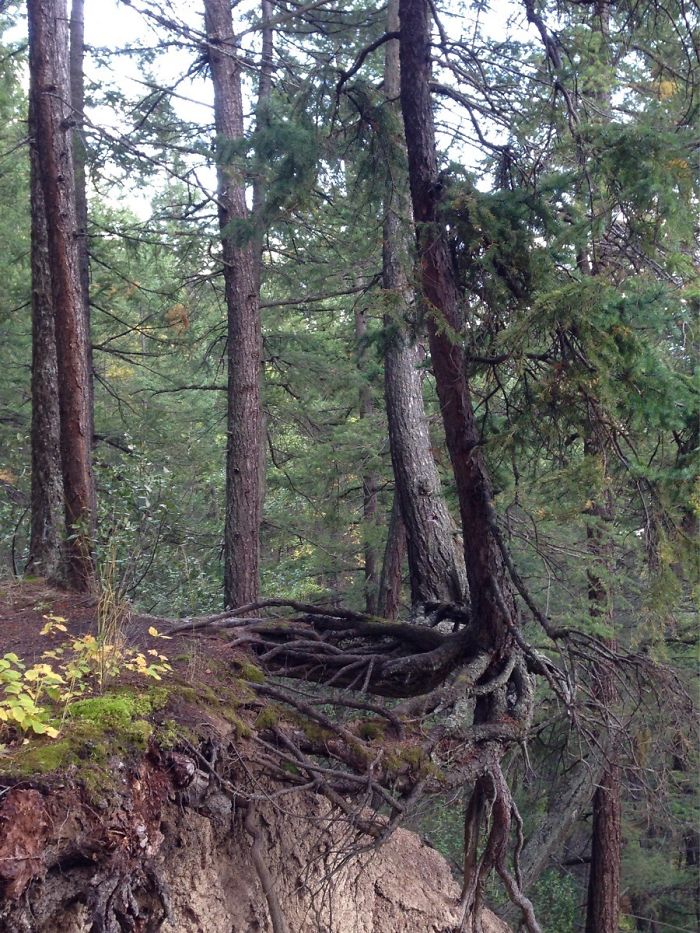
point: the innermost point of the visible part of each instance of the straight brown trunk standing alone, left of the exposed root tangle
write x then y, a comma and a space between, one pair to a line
241, 279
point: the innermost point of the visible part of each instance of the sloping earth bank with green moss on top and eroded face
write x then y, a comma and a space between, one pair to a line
148, 814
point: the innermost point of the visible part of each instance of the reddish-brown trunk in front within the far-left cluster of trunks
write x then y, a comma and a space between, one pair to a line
50, 92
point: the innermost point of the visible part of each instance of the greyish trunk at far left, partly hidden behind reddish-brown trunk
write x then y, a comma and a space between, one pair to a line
47, 482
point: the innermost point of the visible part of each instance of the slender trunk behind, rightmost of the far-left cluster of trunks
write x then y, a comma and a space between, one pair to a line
77, 86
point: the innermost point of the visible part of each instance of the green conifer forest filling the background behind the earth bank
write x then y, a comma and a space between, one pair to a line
567, 137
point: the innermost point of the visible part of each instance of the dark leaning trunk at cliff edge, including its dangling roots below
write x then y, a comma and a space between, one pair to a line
494, 615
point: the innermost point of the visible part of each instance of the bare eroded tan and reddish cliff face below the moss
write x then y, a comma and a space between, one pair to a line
176, 852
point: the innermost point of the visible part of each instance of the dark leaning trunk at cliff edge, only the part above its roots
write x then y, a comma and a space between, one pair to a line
492, 603
